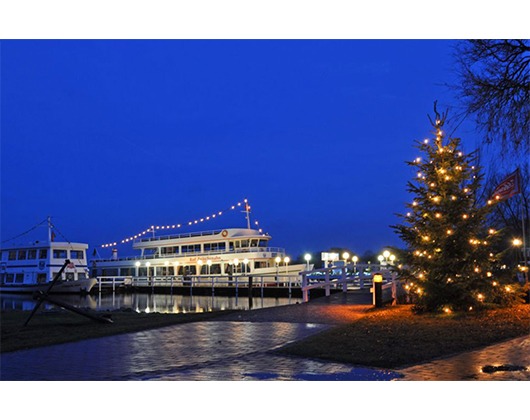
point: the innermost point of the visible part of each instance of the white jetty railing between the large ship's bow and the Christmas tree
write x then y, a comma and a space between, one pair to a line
348, 277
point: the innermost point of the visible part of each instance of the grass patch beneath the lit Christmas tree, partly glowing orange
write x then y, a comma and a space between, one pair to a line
395, 337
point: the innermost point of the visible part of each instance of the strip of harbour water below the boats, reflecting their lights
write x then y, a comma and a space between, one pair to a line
145, 302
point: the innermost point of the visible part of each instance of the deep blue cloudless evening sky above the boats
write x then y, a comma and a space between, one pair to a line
110, 137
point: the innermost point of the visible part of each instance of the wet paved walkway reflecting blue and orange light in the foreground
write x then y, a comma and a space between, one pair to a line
240, 346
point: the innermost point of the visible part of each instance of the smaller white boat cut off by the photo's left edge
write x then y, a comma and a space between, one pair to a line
31, 267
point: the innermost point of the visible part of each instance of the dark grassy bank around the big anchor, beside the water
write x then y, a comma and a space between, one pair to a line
57, 326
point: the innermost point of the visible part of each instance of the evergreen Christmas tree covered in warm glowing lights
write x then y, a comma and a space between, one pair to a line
449, 264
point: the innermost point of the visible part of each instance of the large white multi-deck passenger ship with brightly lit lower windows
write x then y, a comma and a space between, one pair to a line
222, 252
